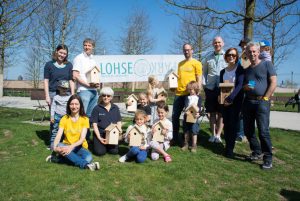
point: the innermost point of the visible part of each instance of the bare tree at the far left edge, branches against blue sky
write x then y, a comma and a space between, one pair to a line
15, 27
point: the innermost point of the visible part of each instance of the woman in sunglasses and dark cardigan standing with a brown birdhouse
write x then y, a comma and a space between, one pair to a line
234, 73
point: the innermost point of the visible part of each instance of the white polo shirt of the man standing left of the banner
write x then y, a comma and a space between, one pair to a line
83, 63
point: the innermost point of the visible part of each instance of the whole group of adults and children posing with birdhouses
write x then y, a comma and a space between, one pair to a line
72, 114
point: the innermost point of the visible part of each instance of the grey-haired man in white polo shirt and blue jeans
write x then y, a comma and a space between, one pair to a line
83, 63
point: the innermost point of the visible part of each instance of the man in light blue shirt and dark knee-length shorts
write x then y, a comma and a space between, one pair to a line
212, 66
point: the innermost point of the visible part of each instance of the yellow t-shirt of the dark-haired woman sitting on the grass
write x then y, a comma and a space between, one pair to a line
72, 130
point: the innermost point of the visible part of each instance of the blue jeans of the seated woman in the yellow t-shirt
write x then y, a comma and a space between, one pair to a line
79, 157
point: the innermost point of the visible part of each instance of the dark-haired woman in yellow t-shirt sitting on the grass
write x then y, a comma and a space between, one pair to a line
74, 147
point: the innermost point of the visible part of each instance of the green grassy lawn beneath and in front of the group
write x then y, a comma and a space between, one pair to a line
206, 175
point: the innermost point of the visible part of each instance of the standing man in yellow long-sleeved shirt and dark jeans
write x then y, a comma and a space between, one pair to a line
188, 70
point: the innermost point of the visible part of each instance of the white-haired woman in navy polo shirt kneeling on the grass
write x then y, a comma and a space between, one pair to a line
102, 116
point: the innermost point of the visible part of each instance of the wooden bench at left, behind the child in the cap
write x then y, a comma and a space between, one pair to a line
38, 95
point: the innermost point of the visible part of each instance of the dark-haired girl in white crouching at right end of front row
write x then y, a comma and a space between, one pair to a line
162, 147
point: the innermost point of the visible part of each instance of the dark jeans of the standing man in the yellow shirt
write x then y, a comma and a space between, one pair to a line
178, 106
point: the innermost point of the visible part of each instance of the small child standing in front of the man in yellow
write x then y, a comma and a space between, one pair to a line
191, 129
